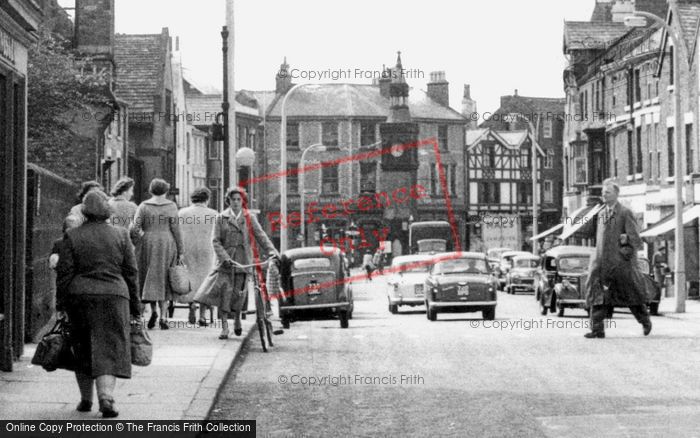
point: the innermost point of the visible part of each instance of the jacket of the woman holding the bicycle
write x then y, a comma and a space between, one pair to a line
232, 240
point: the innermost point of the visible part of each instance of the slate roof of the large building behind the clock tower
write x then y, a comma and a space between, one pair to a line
358, 100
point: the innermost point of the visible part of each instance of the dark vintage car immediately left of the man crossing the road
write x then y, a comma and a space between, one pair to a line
562, 283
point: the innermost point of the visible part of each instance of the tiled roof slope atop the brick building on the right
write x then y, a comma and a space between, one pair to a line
591, 35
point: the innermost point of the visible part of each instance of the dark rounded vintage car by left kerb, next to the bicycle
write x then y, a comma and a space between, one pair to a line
313, 283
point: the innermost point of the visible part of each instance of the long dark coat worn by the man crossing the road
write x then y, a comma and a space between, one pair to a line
609, 267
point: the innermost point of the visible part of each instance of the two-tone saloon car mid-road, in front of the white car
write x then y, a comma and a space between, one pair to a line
460, 282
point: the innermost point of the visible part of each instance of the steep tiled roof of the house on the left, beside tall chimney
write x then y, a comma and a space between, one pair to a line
140, 64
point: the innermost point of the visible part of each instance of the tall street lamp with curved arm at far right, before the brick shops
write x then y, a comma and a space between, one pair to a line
638, 19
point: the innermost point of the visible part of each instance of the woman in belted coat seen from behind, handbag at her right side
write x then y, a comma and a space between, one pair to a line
159, 247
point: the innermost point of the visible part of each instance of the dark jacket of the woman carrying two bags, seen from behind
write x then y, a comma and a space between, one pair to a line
97, 259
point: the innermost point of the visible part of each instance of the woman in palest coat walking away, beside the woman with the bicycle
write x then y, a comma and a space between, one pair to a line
196, 224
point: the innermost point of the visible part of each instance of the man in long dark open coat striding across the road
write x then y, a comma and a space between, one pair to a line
615, 279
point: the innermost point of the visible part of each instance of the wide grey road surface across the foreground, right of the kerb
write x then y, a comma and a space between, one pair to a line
521, 375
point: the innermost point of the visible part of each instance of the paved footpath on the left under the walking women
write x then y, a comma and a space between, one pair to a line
181, 383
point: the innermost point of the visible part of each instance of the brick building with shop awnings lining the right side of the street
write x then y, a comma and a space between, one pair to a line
619, 84
